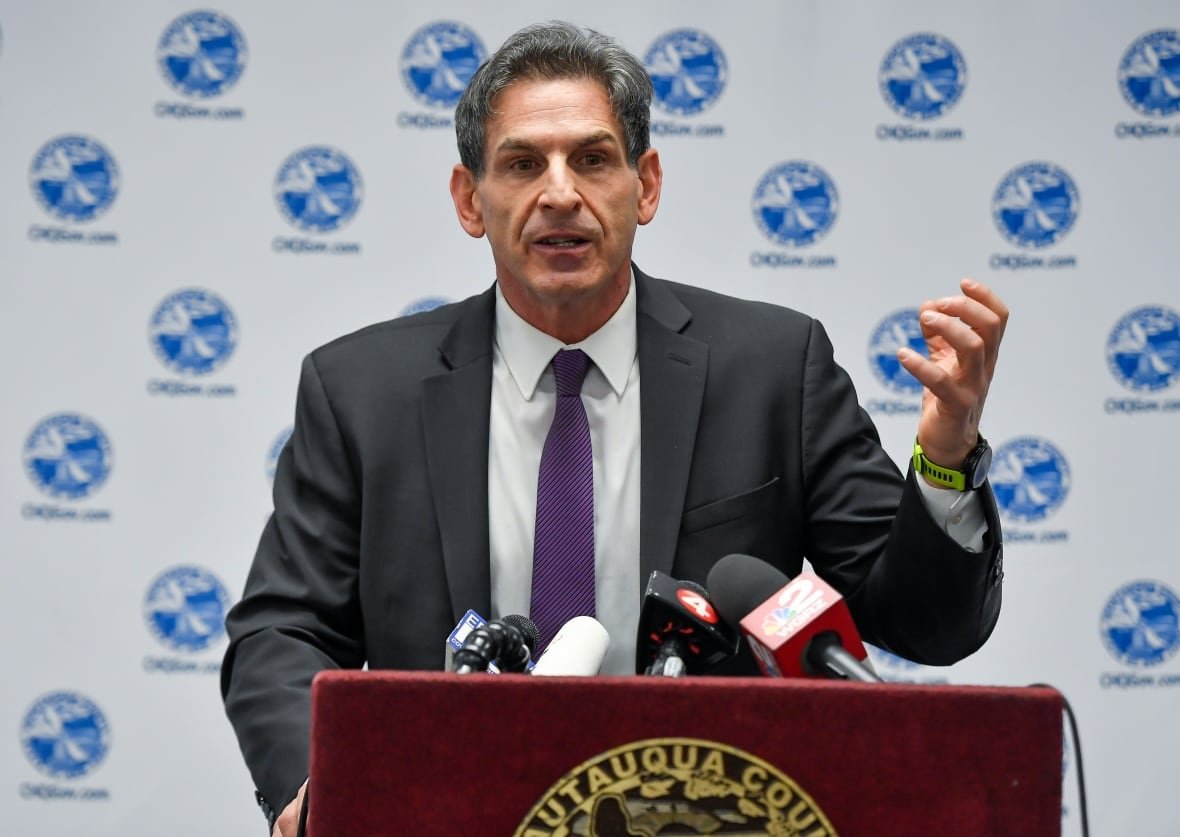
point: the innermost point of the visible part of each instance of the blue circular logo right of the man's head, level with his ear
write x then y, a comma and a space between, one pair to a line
796, 204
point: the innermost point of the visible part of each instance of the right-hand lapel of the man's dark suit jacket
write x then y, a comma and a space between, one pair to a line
673, 370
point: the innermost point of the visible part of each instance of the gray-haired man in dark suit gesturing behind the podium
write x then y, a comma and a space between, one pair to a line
409, 492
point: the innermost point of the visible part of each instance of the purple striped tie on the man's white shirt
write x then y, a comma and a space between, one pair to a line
563, 550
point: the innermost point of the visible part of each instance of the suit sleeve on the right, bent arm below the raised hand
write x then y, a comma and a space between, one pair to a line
913, 590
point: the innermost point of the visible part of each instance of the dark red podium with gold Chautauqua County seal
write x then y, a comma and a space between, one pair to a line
422, 754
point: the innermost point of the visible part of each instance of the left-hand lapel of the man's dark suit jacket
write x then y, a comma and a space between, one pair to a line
456, 420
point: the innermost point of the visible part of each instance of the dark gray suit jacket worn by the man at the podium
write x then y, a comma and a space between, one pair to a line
753, 442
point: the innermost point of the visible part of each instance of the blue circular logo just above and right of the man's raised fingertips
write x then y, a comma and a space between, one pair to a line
1035, 205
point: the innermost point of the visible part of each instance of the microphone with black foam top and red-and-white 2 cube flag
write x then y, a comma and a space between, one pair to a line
796, 627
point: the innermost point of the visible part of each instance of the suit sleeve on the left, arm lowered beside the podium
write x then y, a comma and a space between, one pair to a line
299, 613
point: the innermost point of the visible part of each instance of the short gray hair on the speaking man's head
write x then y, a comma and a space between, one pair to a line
556, 51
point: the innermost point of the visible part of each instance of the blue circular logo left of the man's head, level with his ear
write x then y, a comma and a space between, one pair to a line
319, 189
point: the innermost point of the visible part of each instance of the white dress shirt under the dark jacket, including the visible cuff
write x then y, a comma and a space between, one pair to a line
523, 406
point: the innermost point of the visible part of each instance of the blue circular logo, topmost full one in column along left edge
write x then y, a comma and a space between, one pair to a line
75, 179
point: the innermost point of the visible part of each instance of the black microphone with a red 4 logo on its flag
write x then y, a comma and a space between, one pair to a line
680, 631
